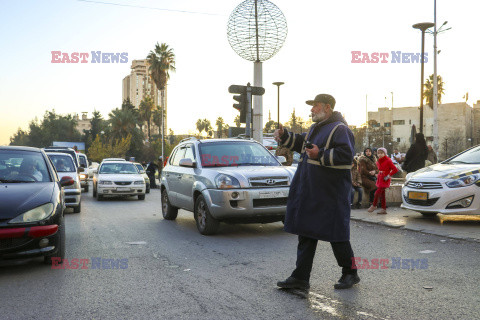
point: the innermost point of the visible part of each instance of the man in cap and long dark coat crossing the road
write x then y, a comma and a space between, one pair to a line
318, 206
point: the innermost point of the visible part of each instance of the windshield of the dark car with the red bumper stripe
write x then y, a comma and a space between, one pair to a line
23, 167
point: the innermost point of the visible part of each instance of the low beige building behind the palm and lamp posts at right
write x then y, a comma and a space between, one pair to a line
458, 125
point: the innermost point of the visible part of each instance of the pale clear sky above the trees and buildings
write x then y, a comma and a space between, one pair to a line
315, 58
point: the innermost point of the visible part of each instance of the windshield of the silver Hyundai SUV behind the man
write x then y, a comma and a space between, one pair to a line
228, 154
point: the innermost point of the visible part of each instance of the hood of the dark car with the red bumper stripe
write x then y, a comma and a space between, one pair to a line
17, 198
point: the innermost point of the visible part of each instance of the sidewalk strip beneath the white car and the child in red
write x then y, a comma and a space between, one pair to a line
455, 227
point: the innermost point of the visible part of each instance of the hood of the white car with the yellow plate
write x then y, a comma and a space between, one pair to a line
445, 171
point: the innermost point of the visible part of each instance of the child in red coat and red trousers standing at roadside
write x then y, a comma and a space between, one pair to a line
386, 170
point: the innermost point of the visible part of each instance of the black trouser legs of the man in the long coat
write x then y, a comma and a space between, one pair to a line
306, 252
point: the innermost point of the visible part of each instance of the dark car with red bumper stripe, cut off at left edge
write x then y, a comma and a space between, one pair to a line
31, 205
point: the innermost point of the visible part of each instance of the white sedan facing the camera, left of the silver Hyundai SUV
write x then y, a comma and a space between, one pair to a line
118, 178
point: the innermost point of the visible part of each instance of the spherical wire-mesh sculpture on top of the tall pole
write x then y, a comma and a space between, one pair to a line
242, 30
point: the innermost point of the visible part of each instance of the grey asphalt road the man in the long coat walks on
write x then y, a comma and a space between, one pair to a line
173, 272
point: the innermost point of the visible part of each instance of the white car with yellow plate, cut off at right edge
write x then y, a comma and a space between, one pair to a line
451, 187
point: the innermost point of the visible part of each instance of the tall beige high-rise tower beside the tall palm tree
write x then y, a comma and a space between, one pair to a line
137, 85
